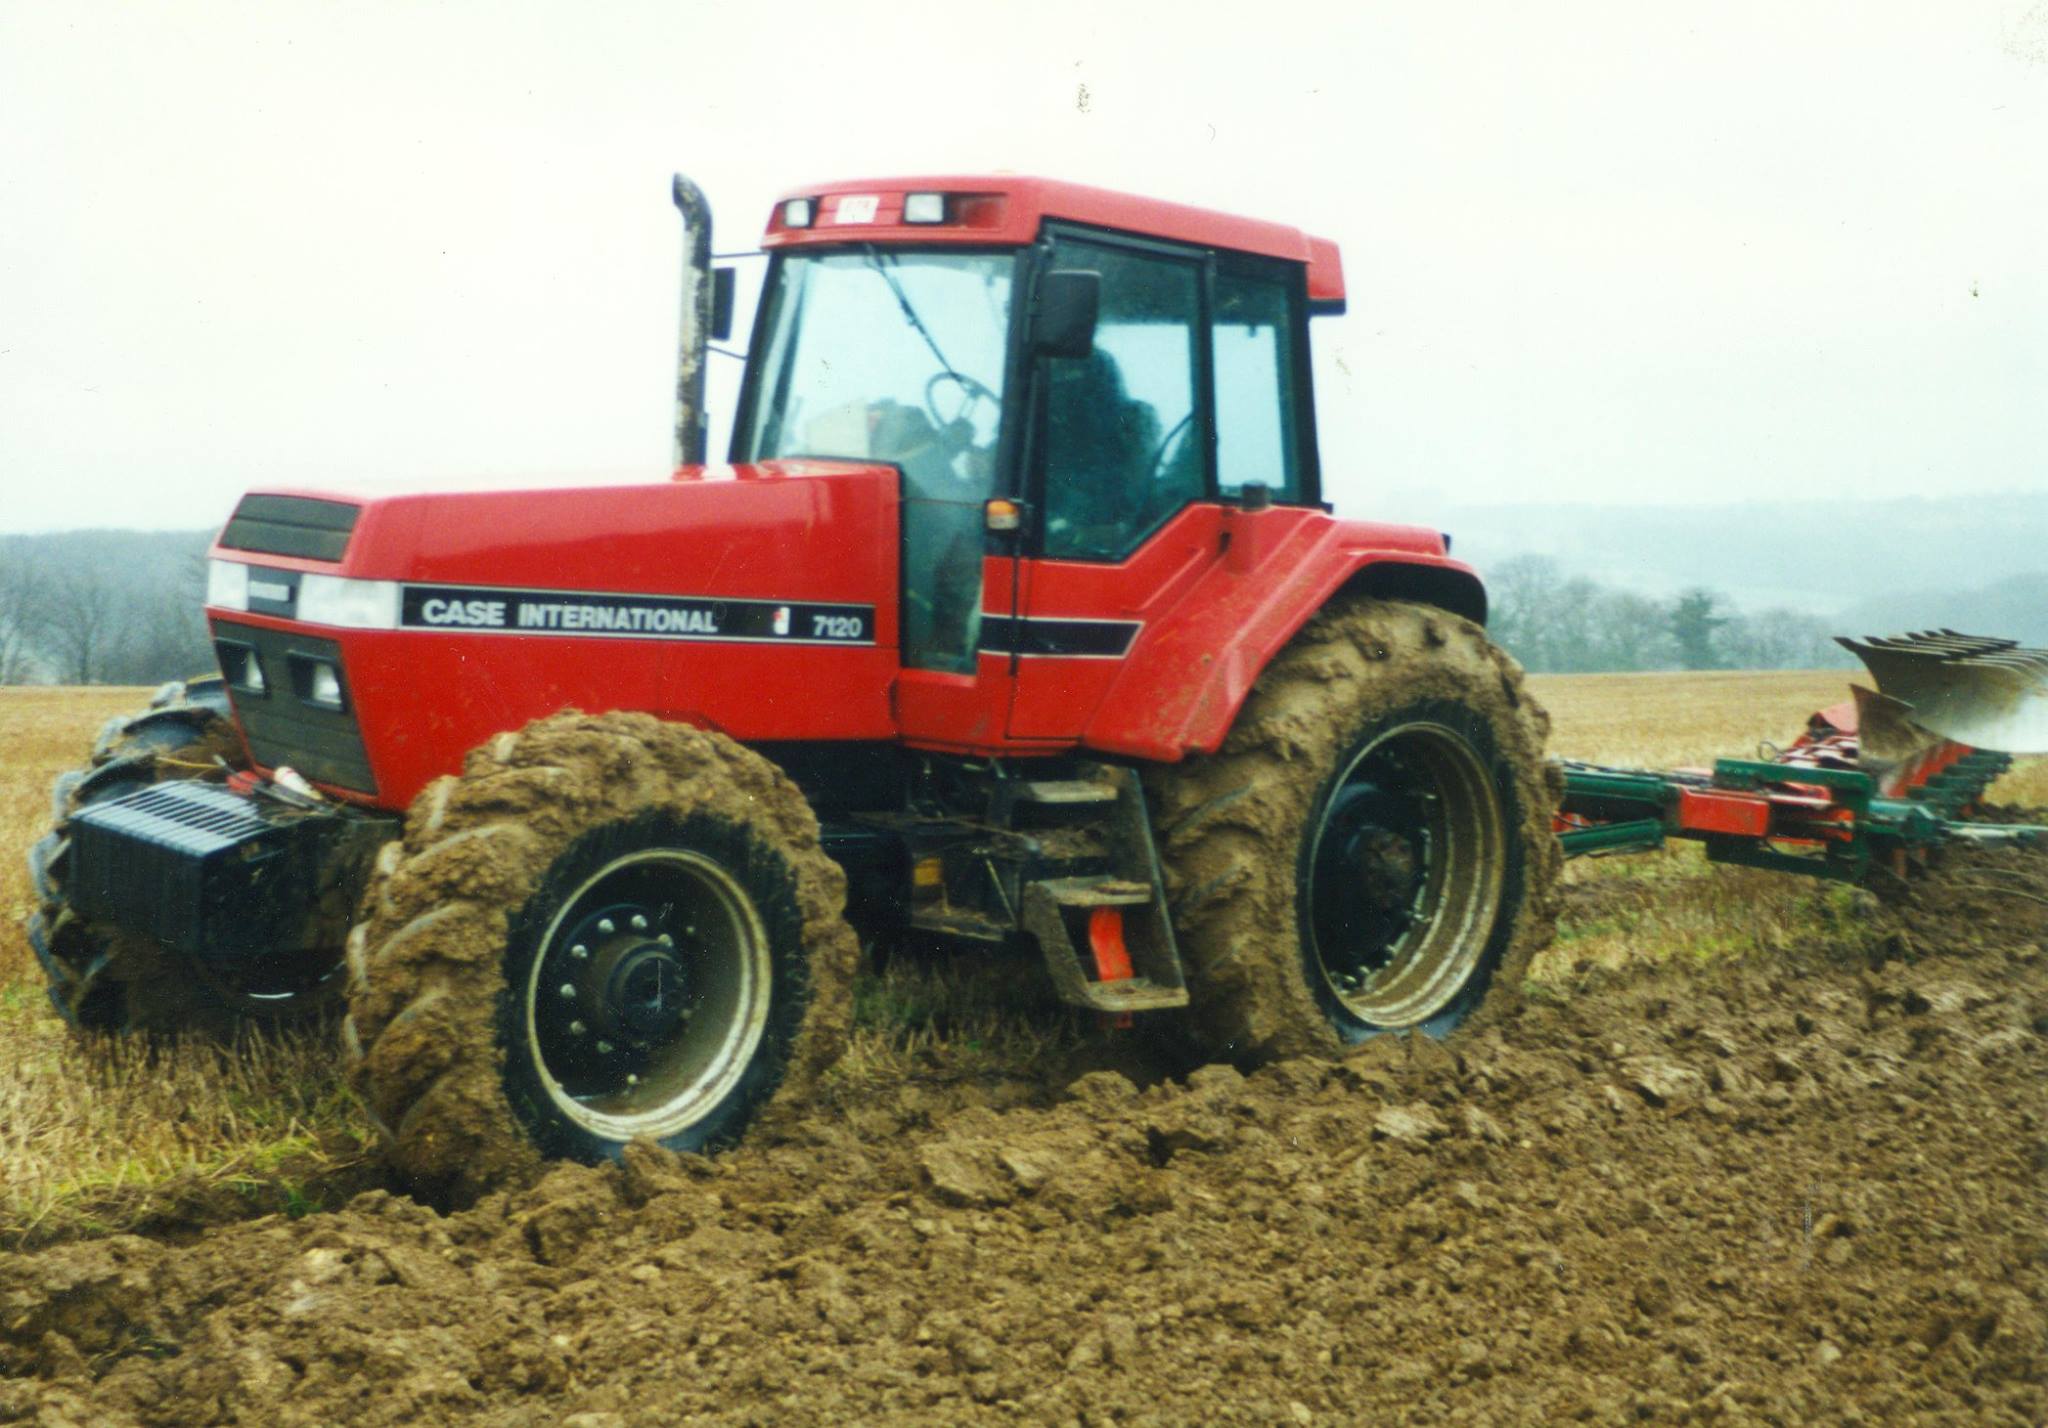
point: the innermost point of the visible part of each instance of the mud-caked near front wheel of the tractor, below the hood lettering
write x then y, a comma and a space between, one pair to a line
607, 927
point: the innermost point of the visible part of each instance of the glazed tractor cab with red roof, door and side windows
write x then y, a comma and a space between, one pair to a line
1064, 378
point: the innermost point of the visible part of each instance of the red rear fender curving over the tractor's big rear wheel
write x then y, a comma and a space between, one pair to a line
1195, 667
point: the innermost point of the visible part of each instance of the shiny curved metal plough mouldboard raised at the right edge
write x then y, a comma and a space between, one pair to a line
1971, 689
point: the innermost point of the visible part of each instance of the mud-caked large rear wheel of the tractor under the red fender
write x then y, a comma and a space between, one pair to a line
1371, 847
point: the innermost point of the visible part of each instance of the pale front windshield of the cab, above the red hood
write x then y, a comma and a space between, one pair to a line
888, 358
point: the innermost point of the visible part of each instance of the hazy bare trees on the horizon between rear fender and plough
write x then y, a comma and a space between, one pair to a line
1564, 624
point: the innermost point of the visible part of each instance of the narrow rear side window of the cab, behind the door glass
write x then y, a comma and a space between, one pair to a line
1254, 355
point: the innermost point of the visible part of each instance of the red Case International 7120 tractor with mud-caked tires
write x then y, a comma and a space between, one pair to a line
1015, 618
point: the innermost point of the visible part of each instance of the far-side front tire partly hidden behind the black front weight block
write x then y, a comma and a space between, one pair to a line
103, 978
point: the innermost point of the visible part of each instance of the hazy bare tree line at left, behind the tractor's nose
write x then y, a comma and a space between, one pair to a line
103, 607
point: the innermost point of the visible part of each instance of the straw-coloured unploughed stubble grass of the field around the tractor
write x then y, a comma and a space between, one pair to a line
105, 1136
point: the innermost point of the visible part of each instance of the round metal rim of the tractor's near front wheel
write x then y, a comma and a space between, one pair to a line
650, 995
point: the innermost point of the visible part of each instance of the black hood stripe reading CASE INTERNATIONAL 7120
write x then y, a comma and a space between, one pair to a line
634, 616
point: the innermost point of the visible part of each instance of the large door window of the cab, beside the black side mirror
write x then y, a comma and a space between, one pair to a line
1123, 437
